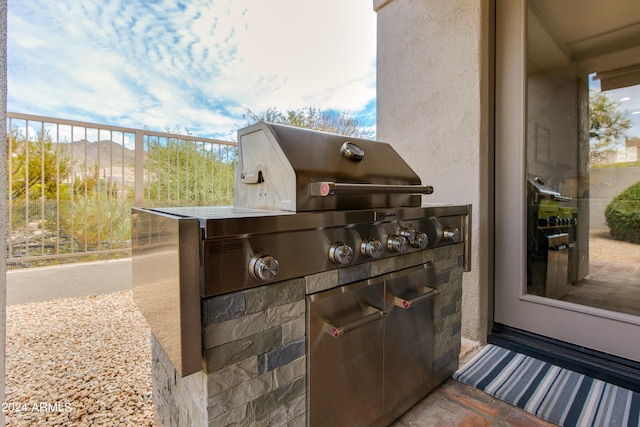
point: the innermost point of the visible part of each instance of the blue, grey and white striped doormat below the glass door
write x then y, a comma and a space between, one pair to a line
560, 396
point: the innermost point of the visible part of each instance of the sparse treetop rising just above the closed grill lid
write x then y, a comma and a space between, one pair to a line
339, 122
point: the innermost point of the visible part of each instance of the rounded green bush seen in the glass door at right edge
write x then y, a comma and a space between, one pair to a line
623, 215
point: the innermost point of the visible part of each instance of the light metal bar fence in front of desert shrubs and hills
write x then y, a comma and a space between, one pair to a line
71, 185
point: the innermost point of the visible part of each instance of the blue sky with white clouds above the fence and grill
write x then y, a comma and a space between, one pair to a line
193, 64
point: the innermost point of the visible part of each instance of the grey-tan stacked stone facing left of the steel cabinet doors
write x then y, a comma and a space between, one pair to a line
255, 355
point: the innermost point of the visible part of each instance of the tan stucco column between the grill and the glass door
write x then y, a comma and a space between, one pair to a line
433, 106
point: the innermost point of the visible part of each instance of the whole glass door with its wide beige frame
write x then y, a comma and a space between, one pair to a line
568, 171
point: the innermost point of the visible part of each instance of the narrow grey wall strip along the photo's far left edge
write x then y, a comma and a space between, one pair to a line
3, 200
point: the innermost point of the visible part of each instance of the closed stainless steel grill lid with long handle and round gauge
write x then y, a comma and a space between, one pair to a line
293, 169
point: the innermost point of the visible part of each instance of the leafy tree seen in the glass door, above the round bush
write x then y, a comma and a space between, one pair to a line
607, 124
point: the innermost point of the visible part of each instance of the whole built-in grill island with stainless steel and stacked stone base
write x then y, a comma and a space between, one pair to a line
344, 310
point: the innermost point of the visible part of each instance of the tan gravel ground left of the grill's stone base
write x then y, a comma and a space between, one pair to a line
78, 362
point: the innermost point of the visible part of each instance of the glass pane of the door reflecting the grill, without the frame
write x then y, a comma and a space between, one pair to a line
583, 154
